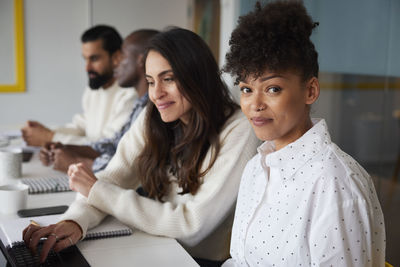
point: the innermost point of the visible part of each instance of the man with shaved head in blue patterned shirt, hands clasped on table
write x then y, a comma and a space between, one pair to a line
129, 73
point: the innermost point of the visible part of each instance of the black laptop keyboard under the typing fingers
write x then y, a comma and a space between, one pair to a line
24, 258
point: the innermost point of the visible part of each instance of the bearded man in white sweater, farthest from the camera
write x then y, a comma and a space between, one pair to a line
106, 106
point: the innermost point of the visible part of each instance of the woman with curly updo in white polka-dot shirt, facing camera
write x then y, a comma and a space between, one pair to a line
302, 201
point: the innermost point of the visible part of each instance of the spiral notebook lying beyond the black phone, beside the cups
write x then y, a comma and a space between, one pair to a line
47, 184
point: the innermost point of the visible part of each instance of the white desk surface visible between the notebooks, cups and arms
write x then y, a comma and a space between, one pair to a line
139, 249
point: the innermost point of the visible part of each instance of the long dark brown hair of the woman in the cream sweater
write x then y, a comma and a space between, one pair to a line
171, 147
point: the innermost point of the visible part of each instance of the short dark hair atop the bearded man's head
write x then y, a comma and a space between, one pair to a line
111, 39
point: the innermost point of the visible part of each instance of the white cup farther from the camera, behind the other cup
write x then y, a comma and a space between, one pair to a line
10, 163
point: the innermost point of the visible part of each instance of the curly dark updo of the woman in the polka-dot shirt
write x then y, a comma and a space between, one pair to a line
275, 37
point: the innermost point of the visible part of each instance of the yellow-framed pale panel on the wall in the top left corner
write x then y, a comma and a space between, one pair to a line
12, 62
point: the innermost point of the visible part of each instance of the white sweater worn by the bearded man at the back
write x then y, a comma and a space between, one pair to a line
104, 114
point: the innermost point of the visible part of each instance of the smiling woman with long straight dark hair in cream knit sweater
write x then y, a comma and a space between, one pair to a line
187, 151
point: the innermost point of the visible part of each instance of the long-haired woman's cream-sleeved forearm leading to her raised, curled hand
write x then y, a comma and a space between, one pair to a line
151, 216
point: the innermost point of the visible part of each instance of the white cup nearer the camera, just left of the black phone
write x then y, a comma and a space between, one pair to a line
13, 197
